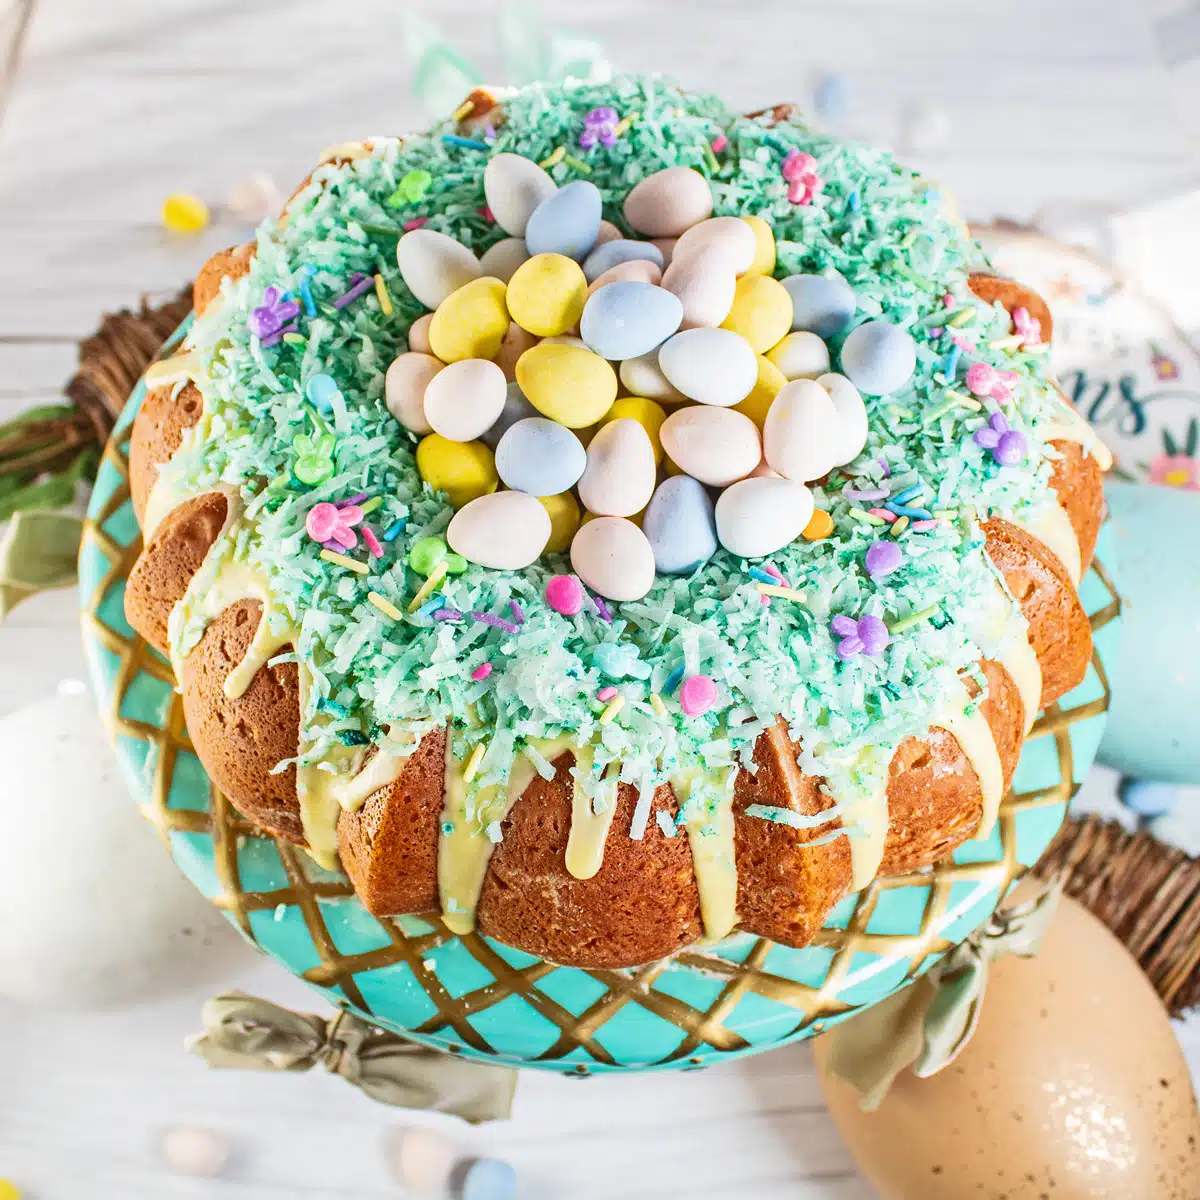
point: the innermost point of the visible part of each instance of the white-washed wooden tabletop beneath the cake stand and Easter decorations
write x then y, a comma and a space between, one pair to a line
113, 106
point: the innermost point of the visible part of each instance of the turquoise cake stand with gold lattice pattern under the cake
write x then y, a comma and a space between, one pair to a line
488, 1001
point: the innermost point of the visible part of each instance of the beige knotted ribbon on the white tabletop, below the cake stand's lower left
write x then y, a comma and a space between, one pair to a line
243, 1031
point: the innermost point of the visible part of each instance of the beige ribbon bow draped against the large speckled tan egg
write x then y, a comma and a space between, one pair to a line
927, 1025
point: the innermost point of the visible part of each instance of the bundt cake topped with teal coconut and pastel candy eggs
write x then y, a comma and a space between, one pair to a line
610, 523
